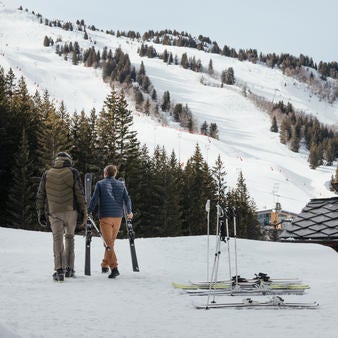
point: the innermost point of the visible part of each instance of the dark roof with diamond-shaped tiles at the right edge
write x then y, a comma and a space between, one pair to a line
317, 222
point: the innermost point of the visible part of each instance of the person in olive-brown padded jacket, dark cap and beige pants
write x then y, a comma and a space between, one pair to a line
61, 198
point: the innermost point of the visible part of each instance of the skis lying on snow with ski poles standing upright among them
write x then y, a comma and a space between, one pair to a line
260, 285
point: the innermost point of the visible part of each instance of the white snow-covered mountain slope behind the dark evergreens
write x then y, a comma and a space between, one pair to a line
245, 143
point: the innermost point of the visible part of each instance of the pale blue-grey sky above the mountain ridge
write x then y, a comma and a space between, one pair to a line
309, 27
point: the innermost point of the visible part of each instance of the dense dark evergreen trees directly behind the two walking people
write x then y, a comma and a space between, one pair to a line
168, 197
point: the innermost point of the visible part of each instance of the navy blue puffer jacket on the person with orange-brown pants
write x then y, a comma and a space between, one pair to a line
110, 194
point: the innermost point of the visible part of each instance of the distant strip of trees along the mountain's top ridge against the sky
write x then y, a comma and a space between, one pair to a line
289, 64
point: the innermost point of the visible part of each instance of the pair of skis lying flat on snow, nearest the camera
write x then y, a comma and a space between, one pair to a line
275, 302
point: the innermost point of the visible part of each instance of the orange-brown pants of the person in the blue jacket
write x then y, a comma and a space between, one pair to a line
110, 227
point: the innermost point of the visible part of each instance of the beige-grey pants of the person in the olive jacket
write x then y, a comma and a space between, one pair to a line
63, 226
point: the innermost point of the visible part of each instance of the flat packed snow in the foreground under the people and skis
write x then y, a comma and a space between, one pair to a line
144, 304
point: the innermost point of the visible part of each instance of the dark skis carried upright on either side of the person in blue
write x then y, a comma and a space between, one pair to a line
91, 224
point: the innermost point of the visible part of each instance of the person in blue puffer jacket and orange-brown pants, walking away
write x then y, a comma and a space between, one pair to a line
111, 196
